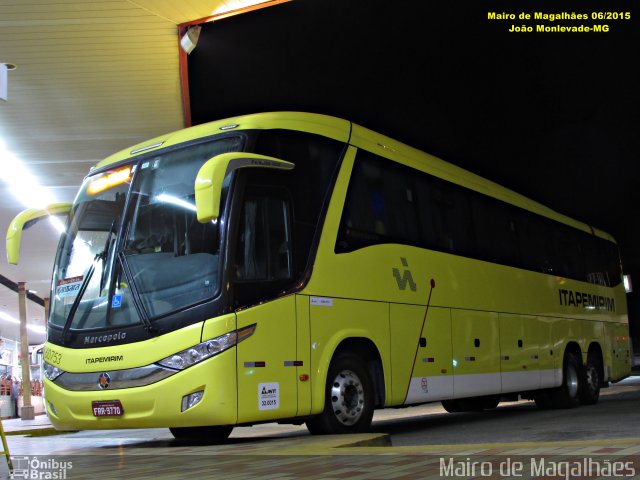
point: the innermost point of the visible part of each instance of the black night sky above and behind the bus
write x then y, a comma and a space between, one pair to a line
554, 116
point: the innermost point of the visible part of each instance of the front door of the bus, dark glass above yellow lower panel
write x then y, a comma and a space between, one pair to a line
263, 269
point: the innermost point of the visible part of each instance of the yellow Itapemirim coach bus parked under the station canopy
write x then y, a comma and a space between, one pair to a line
297, 267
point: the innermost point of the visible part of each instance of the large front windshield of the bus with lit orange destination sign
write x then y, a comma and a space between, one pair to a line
134, 250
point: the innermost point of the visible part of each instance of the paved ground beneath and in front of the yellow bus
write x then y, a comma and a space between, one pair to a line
417, 442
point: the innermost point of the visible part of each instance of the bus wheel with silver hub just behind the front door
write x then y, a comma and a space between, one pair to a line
348, 405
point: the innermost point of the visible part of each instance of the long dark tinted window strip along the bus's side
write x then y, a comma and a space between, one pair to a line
391, 203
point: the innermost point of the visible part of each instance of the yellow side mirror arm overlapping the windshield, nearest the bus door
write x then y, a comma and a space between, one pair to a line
208, 186
